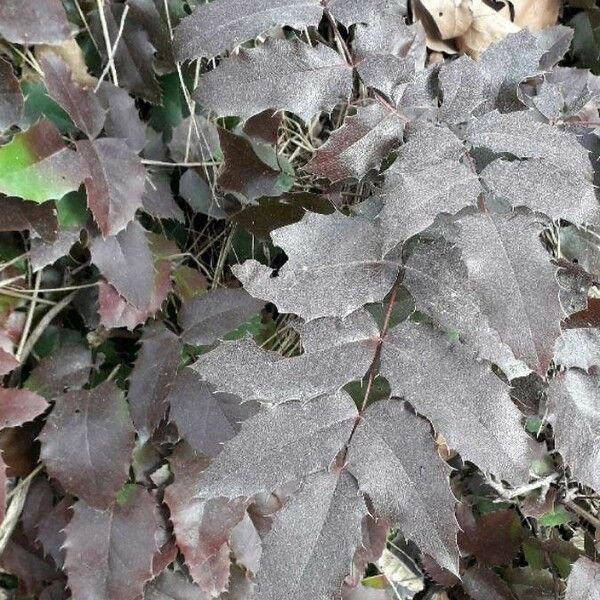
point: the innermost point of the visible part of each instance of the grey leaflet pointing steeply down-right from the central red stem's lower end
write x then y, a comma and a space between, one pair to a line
393, 456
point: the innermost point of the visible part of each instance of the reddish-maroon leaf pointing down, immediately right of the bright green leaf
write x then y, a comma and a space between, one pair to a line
116, 185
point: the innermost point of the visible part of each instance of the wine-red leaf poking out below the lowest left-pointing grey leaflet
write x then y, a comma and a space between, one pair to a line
202, 527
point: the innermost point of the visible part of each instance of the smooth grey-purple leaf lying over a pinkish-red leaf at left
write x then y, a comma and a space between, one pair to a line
126, 261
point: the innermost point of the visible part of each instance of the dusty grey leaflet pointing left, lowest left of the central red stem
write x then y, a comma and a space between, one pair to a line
280, 444
